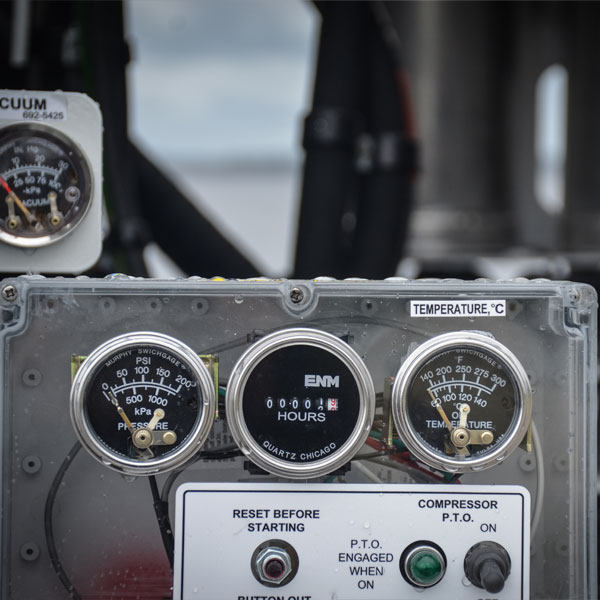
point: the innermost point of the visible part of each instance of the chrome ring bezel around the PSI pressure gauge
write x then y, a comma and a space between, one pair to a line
186, 449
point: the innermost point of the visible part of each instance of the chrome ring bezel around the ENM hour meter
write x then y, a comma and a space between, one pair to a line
235, 393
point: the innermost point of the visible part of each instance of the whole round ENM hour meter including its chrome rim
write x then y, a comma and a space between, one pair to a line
300, 403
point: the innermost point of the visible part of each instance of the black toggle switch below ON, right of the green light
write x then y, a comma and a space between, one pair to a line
487, 566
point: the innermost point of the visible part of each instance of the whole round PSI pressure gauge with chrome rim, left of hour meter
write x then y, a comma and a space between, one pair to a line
142, 403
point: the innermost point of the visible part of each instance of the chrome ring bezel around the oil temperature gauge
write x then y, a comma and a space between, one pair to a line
410, 369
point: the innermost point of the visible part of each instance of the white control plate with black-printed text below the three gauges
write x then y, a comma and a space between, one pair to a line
349, 538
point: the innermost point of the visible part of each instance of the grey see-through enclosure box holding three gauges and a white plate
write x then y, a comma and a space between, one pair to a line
105, 529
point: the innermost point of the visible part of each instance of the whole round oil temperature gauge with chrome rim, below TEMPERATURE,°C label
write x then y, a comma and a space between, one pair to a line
462, 402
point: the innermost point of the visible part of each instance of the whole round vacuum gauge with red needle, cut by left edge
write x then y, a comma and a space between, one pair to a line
45, 185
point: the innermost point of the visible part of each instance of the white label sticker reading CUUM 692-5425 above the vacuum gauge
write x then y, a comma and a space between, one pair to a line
32, 106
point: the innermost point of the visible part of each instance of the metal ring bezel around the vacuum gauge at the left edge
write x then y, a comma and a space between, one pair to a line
78, 156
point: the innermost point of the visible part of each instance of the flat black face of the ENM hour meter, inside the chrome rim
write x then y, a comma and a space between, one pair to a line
300, 403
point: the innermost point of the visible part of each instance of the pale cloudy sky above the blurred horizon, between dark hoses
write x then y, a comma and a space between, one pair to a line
213, 79
